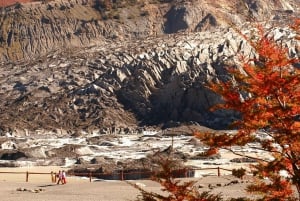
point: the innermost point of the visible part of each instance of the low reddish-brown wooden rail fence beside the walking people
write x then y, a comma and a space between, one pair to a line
120, 175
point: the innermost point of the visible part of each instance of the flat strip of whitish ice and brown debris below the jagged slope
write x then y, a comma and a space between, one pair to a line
110, 153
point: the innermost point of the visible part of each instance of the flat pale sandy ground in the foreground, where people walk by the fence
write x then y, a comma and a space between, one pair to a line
41, 188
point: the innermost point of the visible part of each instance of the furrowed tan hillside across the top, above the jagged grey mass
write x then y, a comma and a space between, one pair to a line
33, 29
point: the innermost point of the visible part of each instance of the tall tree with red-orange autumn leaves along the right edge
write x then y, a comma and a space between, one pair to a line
266, 93
